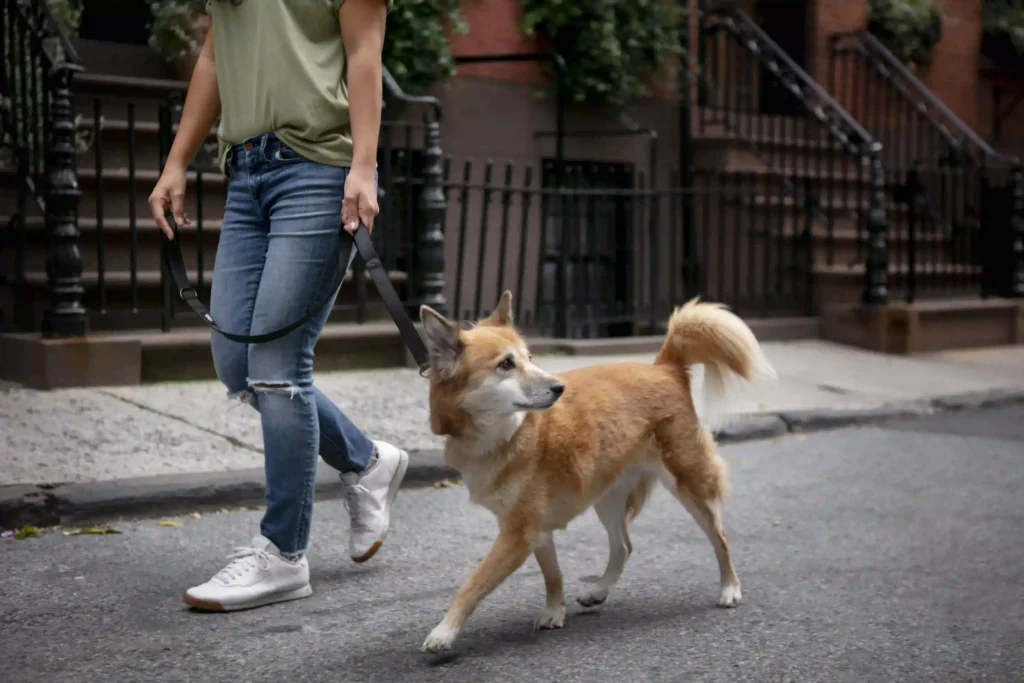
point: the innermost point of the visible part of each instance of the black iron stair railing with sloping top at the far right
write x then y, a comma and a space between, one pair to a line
960, 227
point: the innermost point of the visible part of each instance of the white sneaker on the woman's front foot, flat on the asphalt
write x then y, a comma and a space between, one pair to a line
257, 576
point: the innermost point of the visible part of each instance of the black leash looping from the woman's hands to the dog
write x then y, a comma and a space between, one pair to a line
365, 246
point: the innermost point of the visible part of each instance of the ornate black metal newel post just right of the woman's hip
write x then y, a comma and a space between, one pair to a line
430, 276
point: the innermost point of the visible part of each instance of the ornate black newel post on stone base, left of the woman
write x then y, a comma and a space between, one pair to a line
66, 316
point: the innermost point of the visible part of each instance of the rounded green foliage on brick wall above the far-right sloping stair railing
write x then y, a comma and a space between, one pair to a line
909, 28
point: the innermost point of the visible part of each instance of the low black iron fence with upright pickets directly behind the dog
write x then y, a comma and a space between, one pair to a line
602, 255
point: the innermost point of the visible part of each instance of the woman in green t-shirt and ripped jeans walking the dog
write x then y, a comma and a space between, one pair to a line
297, 86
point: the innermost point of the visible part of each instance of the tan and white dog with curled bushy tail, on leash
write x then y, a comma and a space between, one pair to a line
539, 450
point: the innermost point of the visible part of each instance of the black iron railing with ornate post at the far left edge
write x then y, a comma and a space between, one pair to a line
38, 136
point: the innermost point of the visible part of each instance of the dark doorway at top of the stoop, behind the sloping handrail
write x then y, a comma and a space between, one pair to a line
786, 22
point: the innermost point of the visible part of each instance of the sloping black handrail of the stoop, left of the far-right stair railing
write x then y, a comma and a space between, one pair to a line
770, 54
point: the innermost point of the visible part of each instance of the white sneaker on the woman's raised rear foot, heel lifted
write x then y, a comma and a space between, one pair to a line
369, 500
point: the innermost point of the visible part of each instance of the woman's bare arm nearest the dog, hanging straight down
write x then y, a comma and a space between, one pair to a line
363, 34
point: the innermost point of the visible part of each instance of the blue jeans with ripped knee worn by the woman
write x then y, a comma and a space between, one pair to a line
278, 258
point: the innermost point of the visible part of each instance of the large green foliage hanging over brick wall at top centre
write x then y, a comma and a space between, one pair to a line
613, 50
